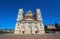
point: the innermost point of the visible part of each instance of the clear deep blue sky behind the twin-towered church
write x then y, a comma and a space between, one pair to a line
50, 10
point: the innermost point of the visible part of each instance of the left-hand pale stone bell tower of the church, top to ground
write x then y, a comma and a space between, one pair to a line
18, 24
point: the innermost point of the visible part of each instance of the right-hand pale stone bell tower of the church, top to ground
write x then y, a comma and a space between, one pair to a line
40, 22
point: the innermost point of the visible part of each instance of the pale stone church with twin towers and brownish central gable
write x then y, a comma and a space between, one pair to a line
29, 23
